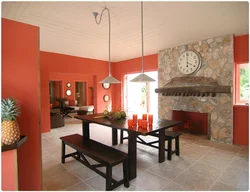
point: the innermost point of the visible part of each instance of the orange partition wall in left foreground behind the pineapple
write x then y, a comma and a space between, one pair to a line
20, 80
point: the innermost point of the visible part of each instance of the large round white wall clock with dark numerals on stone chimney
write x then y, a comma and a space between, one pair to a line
189, 62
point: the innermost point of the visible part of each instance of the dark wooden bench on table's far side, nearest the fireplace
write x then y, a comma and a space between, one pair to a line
169, 136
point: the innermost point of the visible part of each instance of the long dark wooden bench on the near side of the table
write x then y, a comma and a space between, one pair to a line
103, 154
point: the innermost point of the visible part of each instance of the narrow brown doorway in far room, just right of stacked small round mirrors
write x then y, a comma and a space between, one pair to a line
80, 93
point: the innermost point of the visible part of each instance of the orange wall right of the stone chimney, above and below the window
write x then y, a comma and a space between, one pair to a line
241, 113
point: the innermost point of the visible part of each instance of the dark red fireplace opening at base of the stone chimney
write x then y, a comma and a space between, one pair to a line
193, 122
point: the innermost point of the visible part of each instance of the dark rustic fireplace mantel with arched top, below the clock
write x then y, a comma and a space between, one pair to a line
193, 86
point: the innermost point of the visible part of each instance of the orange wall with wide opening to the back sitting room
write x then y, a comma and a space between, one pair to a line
71, 68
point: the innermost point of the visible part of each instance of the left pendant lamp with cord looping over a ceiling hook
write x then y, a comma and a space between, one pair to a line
110, 79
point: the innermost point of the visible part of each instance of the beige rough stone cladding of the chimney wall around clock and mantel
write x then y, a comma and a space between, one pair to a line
217, 63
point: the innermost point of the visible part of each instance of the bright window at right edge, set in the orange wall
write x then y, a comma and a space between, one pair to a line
242, 83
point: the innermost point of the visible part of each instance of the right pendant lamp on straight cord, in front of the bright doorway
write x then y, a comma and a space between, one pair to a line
142, 77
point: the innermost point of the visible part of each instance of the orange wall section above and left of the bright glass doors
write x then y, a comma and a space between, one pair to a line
128, 67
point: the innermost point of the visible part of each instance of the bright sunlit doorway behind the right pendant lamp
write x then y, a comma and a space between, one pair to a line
141, 97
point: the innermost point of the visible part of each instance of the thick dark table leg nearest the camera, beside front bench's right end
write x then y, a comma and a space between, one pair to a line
132, 158
